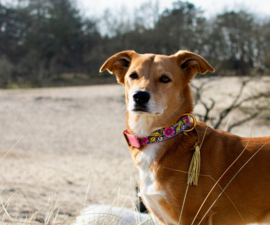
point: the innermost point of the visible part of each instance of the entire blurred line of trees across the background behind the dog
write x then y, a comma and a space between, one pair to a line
42, 39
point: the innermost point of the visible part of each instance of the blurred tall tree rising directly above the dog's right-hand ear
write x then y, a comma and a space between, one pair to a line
181, 27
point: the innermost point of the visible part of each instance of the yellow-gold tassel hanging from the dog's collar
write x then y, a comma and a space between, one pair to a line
194, 167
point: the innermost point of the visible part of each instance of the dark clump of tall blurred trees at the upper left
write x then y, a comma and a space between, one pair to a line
45, 38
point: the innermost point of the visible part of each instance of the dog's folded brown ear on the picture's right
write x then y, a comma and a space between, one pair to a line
192, 63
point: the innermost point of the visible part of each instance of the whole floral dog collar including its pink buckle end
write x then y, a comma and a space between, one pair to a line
159, 135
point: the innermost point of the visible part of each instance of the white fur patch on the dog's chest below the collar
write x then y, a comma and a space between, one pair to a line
151, 196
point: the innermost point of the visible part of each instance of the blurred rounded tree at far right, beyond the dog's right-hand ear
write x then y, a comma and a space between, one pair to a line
234, 42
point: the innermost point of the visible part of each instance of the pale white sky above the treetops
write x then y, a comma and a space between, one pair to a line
96, 7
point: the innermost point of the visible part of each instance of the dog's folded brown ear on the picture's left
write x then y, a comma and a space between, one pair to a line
118, 64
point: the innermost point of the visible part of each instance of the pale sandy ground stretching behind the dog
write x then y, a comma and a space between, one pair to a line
69, 150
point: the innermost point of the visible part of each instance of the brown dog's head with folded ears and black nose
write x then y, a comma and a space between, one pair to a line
157, 86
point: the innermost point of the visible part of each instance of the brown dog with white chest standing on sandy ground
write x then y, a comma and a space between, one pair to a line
157, 95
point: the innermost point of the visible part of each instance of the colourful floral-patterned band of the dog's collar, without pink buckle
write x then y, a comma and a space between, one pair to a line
166, 133
